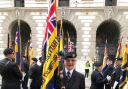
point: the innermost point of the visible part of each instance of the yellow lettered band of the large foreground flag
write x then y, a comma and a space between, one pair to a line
51, 62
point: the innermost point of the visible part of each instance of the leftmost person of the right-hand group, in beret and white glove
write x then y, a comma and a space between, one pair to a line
97, 79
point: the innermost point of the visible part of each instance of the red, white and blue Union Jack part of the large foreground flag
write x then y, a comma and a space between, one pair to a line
51, 25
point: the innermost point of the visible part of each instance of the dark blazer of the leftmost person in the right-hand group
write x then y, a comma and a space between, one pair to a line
97, 80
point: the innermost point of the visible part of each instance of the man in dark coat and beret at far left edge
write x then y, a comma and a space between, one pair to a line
11, 75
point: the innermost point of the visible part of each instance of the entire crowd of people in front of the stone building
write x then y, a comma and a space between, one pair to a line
105, 75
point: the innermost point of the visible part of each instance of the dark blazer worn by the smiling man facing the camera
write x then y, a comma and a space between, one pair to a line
77, 81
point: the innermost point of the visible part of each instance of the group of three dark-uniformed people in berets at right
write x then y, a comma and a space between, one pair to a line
106, 75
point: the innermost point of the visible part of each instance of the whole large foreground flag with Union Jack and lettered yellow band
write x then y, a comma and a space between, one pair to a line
50, 49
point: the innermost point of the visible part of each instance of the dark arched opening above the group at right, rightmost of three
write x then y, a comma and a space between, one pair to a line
108, 30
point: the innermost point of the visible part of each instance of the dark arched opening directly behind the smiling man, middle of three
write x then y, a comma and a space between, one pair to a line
70, 34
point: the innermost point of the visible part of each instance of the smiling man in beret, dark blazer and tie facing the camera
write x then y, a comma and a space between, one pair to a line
70, 78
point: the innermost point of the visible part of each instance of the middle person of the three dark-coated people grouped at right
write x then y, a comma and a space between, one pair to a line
108, 70
